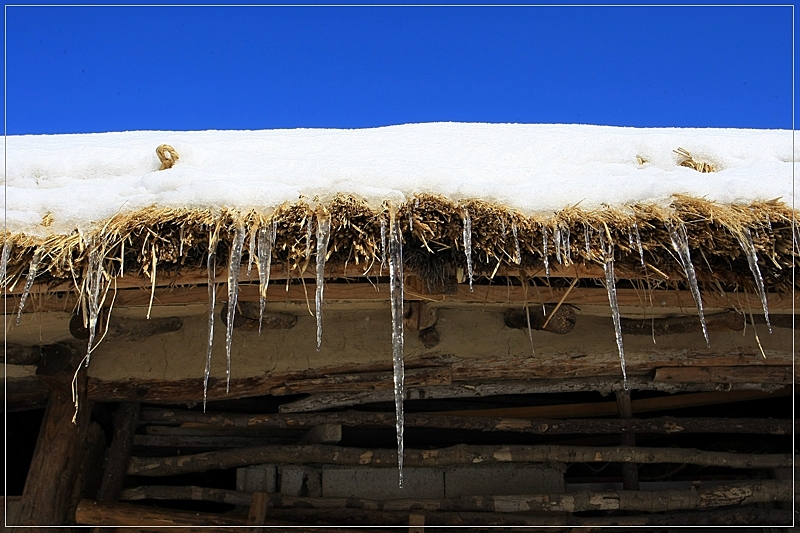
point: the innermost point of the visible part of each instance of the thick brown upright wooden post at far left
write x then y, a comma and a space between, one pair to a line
59, 453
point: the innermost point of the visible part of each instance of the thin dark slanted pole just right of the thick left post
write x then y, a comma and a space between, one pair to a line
126, 419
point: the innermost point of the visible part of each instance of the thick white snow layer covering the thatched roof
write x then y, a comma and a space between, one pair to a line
86, 178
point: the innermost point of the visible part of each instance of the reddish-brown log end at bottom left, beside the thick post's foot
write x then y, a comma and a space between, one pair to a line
91, 512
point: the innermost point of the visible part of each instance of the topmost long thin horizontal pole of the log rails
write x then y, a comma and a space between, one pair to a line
664, 425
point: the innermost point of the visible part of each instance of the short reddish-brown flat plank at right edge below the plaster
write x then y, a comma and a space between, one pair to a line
725, 374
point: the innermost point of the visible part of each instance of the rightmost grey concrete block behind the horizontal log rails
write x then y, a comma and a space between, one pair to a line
502, 479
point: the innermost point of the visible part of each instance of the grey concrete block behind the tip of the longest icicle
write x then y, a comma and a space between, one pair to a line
382, 483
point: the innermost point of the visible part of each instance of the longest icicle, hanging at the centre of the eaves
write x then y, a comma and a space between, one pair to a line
396, 289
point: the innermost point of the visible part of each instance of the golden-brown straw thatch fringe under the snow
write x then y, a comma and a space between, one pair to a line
432, 229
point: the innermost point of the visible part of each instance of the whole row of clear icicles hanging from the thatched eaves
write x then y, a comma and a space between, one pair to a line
261, 246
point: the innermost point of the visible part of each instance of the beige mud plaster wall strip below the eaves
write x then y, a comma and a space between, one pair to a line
364, 337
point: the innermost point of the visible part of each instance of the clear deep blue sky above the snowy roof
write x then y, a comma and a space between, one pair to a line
93, 69
